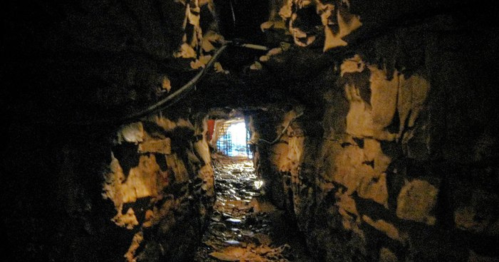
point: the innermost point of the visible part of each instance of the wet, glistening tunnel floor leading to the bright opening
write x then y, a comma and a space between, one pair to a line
244, 226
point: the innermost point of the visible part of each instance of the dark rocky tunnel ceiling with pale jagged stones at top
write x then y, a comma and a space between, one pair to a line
114, 57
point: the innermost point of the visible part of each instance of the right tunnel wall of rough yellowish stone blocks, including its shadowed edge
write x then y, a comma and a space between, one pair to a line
401, 164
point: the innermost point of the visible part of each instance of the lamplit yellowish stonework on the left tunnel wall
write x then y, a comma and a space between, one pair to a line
161, 183
